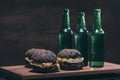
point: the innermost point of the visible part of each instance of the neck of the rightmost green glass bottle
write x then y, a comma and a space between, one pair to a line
97, 21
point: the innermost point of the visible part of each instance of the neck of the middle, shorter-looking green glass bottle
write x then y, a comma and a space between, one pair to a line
81, 21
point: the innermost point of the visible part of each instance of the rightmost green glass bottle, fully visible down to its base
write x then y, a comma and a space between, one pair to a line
97, 41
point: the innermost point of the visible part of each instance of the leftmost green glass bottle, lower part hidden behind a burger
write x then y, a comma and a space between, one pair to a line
65, 34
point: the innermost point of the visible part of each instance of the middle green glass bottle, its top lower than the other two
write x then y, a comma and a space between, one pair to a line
81, 37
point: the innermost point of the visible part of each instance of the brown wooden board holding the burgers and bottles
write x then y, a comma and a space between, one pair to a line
19, 72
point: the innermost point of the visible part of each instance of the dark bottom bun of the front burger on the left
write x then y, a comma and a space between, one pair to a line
45, 70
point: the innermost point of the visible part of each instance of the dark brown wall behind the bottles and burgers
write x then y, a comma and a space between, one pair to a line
25, 24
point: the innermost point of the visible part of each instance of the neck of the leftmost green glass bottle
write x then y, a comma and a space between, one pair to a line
66, 20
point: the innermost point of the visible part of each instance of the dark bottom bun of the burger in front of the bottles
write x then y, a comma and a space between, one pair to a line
70, 66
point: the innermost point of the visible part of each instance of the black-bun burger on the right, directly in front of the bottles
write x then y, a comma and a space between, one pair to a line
70, 59
